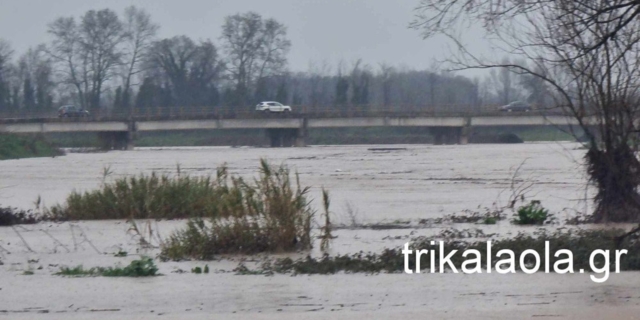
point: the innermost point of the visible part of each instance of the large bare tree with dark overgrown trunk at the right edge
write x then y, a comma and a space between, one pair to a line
588, 55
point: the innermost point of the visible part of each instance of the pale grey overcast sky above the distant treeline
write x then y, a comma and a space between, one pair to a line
320, 30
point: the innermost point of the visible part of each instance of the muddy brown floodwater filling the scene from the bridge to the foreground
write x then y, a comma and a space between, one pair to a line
375, 184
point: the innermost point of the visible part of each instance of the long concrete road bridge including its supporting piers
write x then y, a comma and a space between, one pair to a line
283, 129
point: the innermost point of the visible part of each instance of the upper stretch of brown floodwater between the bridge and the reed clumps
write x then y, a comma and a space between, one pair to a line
410, 182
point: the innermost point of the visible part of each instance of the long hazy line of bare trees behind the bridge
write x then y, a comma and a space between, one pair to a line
109, 62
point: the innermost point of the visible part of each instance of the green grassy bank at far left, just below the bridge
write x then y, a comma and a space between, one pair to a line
26, 146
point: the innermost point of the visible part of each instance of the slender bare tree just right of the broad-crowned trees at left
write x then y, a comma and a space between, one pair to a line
139, 32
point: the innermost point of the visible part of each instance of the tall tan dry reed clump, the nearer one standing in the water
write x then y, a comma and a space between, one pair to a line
269, 214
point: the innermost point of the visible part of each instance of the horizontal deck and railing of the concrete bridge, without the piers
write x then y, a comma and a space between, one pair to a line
253, 120
